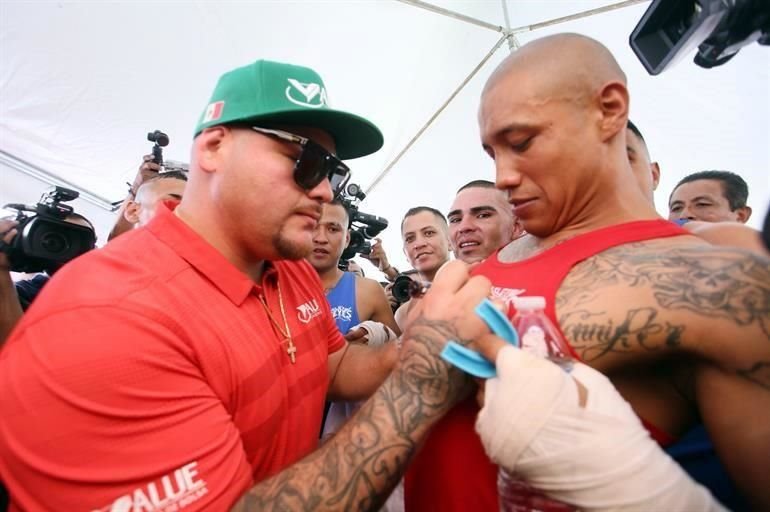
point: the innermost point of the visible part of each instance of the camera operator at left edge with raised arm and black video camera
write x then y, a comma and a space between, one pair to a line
41, 240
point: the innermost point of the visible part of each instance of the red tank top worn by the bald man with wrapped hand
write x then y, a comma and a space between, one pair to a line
451, 472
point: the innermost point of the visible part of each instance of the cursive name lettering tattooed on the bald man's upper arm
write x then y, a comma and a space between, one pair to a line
594, 334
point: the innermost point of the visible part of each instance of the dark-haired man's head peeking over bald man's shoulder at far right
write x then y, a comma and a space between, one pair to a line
710, 196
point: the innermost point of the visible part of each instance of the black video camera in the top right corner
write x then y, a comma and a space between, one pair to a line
669, 29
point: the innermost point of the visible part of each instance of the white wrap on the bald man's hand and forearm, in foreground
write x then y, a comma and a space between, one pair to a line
598, 457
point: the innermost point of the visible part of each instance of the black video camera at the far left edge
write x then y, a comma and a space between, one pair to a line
45, 240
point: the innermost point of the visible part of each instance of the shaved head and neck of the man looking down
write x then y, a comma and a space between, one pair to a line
553, 117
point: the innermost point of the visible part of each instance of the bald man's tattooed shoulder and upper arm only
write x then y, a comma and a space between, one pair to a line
654, 299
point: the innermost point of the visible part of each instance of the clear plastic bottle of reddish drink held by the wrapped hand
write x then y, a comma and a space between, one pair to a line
539, 336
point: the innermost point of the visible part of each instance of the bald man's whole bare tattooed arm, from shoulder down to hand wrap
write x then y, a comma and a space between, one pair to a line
697, 305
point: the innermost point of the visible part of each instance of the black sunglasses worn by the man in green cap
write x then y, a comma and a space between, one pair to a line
314, 163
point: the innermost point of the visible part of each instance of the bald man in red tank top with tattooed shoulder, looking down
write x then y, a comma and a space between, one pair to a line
636, 297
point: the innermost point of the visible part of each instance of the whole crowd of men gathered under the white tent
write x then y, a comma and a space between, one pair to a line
208, 359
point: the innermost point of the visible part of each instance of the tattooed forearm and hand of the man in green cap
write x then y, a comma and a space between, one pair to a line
359, 467
